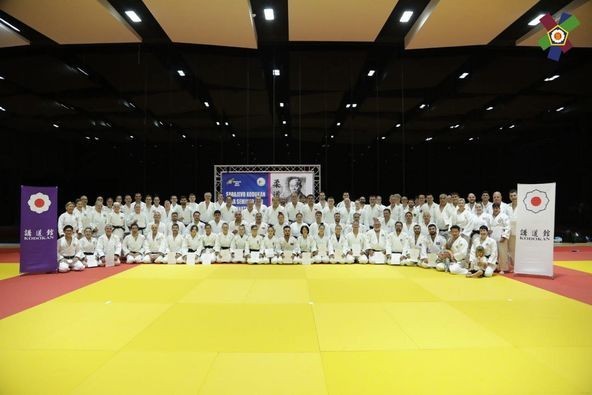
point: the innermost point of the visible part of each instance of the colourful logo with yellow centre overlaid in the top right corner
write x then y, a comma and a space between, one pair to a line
557, 34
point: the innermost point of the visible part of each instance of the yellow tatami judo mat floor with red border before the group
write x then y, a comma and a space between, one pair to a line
320, 329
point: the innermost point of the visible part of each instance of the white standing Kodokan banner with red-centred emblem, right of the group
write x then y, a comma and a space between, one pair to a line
535, 225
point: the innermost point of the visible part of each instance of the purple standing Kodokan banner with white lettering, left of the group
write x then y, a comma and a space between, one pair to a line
39, 218
